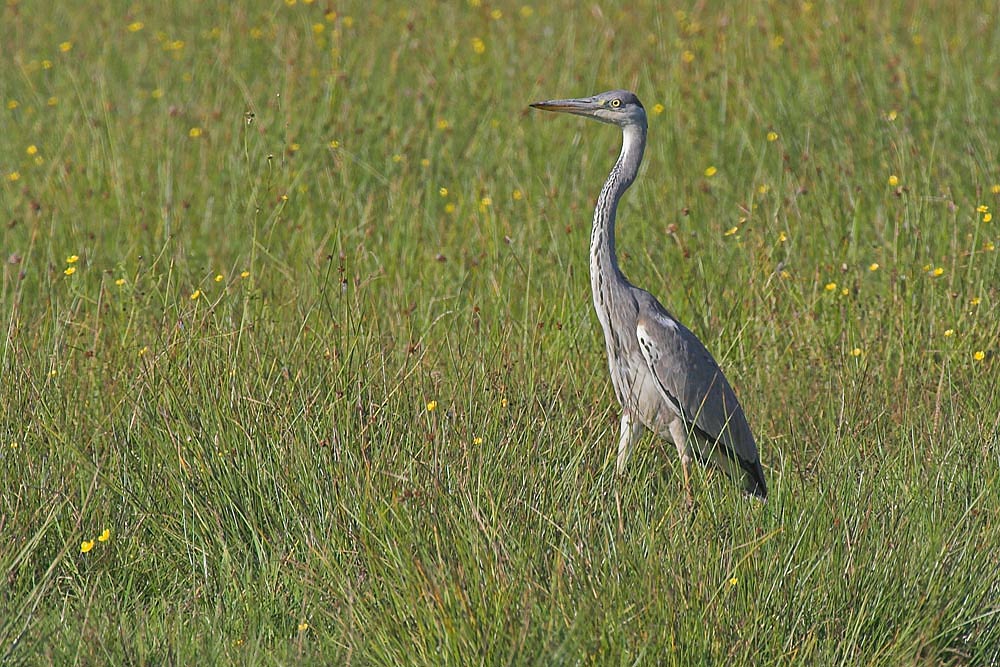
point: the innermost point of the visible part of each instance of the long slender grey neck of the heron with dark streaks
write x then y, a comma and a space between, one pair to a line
603, 259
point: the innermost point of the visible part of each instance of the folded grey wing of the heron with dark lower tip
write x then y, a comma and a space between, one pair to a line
689, 378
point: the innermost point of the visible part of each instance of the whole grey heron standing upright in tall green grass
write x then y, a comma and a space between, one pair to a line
663, 376
